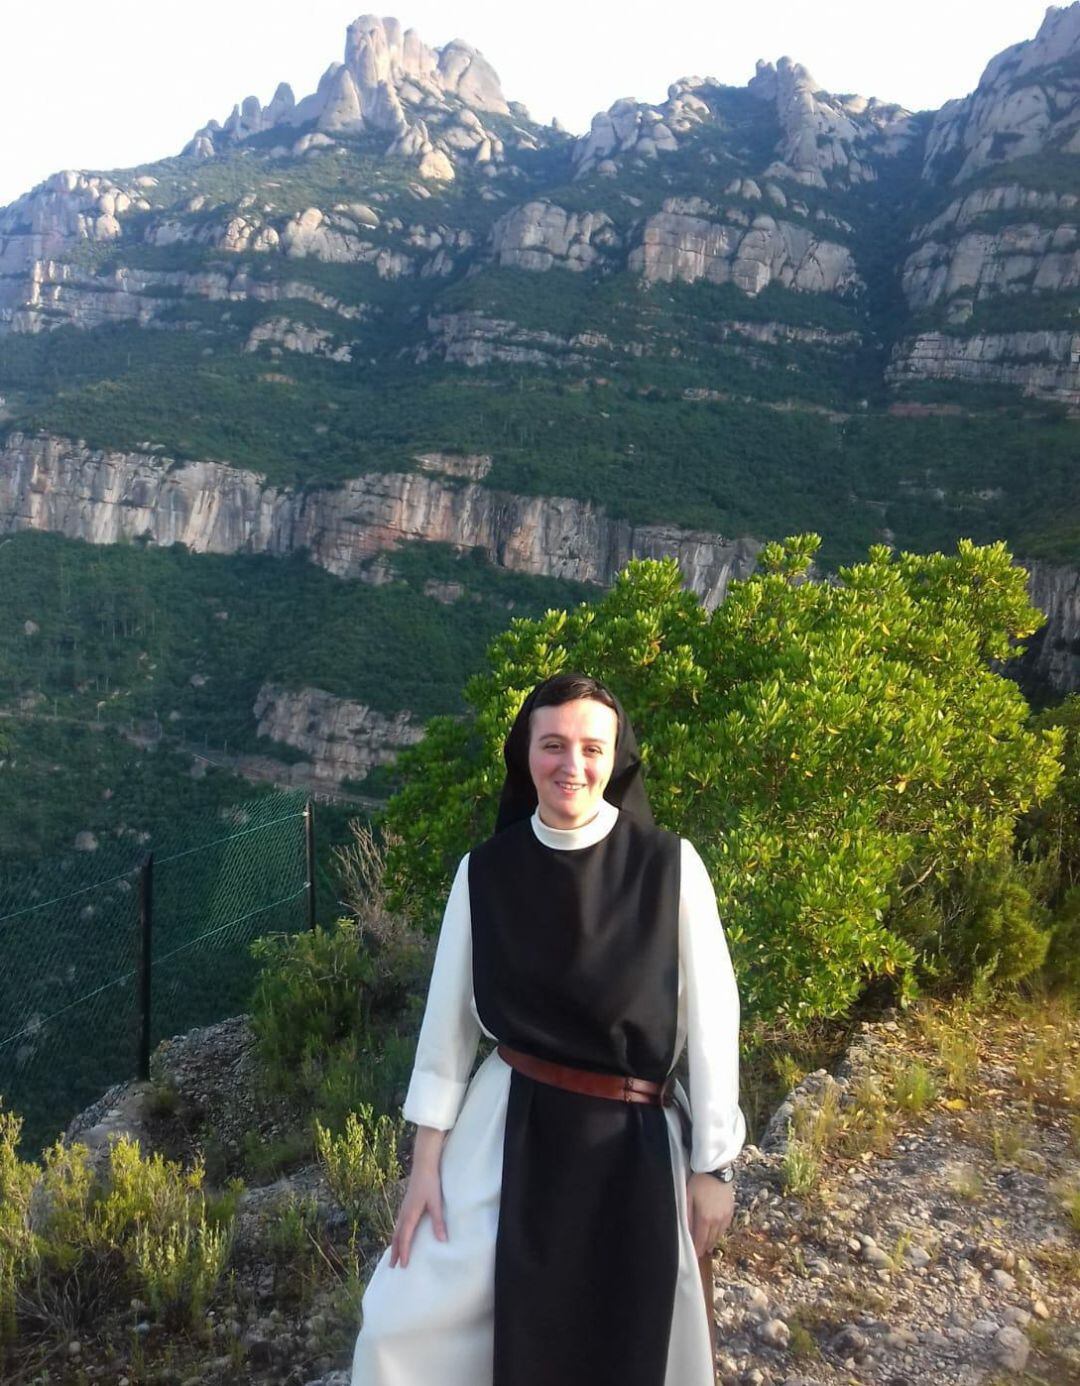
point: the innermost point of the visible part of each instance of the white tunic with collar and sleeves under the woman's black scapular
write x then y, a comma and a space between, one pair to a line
432, 1323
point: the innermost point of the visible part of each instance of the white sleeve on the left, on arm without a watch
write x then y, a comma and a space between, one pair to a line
450, 1033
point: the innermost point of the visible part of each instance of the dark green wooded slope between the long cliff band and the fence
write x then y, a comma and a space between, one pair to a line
171, 647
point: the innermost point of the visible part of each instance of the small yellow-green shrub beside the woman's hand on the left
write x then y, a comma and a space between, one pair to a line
363, 1166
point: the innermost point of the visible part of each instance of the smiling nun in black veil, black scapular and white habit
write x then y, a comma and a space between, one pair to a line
565, 1200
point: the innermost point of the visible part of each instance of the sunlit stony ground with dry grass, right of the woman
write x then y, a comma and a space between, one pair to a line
935, 1241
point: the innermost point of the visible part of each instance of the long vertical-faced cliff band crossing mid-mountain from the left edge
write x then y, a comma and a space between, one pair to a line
58, 486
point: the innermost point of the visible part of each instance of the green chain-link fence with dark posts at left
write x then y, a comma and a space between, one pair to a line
81, 999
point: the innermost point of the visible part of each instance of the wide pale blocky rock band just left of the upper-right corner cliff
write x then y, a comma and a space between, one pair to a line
677, 246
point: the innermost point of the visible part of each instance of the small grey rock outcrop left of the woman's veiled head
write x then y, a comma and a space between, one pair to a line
340, 738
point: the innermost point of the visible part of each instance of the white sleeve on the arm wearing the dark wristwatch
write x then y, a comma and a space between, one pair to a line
712, 1021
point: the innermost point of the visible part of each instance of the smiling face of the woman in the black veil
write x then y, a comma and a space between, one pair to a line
572, 753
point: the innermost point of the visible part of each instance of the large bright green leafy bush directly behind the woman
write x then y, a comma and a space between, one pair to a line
826, 746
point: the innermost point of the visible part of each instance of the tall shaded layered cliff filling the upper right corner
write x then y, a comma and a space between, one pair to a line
1006, 240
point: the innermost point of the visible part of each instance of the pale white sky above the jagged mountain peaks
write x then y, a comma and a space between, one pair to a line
123, 82
